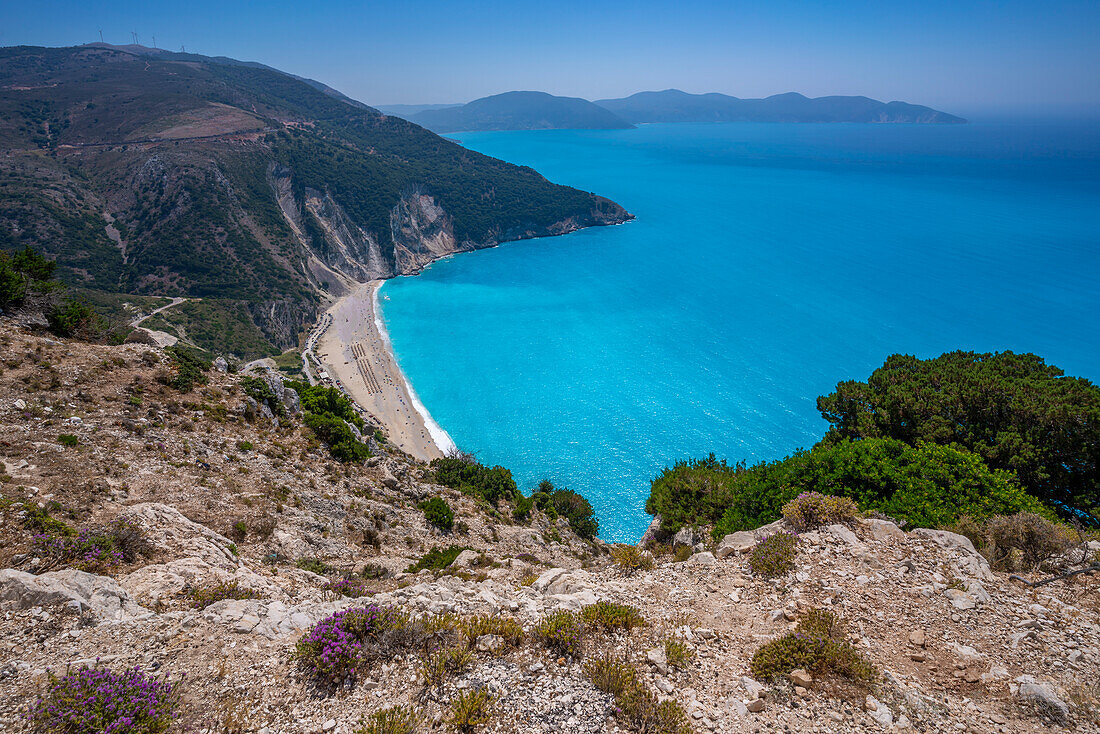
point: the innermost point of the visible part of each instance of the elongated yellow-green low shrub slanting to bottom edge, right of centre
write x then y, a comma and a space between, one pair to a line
636, 705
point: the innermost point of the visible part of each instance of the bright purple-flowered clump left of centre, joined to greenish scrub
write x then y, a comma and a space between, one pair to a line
338, 648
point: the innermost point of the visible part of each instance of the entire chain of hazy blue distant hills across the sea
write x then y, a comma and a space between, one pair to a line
536, 111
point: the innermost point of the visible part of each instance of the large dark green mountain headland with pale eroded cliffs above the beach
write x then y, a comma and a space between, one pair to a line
177, 174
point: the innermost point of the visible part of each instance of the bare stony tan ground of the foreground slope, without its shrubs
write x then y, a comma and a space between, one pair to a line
224, 494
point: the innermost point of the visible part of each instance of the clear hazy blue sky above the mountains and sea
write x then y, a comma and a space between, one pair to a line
960, 56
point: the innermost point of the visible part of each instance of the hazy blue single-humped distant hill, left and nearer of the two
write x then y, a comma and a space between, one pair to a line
521, 111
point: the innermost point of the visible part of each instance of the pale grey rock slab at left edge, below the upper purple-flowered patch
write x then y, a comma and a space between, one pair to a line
101, 596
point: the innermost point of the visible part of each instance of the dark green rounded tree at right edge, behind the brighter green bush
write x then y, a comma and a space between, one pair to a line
1015, 411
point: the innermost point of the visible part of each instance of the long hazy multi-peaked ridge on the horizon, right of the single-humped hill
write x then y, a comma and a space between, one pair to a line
676, 106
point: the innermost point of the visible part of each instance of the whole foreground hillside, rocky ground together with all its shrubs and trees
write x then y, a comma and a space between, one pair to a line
186, 549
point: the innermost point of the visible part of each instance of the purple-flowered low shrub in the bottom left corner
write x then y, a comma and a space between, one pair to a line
101, 702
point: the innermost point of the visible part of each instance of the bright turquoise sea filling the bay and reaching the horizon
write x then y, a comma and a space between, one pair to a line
767, 264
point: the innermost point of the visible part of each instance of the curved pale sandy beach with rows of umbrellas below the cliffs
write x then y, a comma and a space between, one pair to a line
356, 350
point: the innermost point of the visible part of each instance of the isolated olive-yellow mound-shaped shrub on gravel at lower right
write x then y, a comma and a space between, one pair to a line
817, 645
